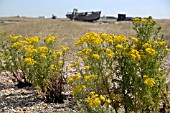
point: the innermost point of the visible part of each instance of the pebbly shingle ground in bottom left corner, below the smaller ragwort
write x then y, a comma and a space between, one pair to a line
24, 100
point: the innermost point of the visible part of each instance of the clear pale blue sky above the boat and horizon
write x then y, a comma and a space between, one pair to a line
134, 8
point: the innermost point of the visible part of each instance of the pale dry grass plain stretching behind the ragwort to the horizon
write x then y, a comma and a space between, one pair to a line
69, 31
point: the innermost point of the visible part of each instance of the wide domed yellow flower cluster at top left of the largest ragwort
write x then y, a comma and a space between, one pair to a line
90, 38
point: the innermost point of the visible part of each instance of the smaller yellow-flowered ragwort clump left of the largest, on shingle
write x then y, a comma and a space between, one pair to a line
40, 64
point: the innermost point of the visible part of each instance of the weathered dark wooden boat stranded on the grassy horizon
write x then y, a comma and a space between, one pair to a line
84, 16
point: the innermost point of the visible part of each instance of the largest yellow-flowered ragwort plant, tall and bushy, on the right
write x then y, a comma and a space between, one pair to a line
121, 72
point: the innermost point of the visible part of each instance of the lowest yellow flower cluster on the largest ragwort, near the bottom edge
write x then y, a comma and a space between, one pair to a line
94, 100
